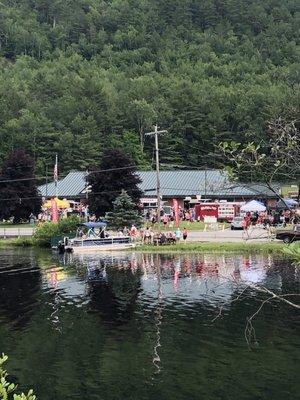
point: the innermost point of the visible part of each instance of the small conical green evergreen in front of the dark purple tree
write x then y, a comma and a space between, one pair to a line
124, 212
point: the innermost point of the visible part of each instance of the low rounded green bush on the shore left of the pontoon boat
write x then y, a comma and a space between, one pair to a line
47, 230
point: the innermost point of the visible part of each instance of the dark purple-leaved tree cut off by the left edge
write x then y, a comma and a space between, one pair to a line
19, 195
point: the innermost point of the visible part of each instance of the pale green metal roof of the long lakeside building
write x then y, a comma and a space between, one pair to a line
180, 184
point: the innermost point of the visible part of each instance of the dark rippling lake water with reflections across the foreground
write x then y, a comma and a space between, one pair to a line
140, 326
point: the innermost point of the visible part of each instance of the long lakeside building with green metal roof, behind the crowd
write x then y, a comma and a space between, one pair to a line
186, 186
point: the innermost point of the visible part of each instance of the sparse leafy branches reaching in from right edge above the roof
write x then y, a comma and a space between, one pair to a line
276, 157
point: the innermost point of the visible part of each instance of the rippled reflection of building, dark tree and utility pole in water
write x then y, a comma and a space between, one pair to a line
114, 283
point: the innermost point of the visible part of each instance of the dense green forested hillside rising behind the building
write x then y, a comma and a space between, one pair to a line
78, 76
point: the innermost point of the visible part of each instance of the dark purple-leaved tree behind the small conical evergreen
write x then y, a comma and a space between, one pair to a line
115, 173
